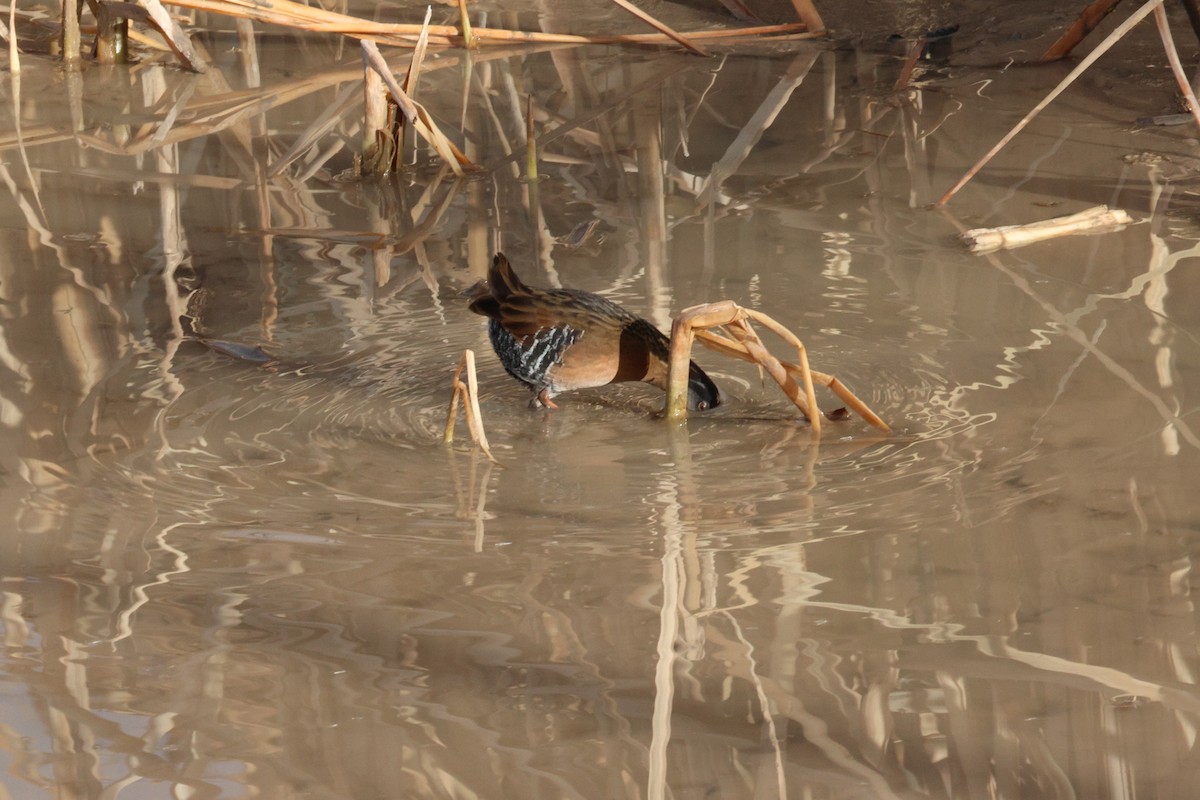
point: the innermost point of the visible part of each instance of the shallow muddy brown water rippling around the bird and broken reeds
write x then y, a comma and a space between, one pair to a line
230, 580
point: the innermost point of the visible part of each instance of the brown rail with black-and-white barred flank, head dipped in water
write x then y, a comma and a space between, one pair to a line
561, 340
